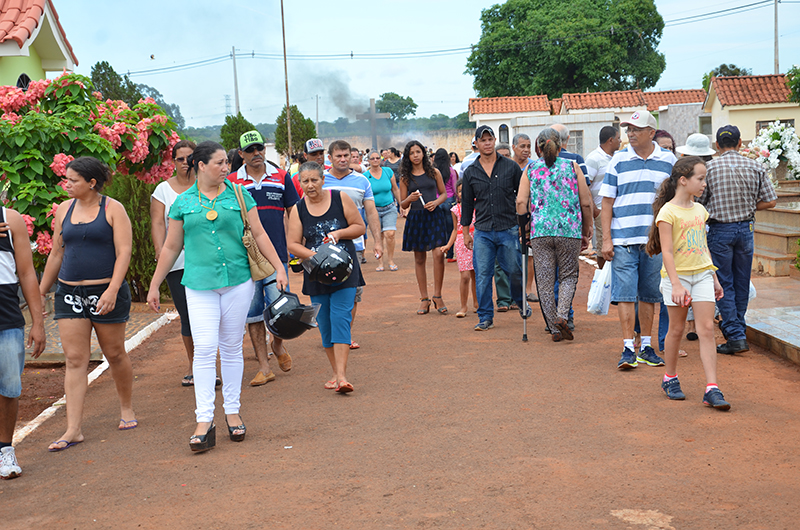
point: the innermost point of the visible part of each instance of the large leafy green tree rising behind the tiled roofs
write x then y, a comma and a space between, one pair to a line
530, 47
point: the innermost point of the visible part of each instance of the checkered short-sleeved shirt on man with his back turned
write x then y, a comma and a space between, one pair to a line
735, 185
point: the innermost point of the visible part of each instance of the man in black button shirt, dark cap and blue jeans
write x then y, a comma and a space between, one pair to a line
489, 189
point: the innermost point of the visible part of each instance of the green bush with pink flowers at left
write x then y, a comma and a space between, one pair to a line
57, 120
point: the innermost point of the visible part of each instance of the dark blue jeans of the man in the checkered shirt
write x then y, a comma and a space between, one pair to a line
731, 247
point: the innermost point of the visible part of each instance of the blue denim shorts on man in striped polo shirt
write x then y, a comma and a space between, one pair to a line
635, 275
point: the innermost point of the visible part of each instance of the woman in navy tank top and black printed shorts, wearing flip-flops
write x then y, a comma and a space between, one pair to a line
91, 252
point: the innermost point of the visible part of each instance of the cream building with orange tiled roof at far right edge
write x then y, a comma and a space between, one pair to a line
750, 102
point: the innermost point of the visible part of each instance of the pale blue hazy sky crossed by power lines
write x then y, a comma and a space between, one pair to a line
178, 32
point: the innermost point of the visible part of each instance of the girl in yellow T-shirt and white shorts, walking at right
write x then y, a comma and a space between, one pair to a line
687, 275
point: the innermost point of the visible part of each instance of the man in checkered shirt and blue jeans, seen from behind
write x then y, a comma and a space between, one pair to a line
736, 187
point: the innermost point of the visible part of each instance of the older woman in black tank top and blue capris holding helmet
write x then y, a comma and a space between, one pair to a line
328, 216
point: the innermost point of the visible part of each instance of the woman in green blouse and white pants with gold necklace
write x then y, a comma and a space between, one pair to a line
205, 220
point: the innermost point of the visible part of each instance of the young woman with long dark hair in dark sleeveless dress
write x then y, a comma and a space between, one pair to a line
422, 191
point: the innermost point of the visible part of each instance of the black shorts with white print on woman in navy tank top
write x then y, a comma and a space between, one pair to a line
80, 301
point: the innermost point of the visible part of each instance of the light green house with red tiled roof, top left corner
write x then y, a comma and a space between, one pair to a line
32, 42
